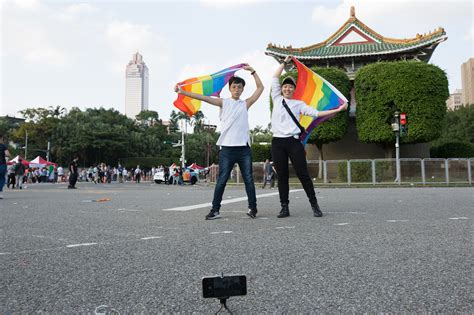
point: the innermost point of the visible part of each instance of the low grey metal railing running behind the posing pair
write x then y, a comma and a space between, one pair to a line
429, 171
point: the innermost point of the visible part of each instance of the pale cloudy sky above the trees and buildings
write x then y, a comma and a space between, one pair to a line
74, 53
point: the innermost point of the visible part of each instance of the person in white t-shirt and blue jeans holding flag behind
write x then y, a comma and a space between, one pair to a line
234, 139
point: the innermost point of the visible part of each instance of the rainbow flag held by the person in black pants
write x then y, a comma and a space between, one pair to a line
316, 92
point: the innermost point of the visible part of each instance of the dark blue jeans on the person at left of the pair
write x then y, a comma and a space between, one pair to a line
228, 156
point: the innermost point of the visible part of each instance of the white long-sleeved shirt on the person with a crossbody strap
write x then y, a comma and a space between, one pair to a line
283, 125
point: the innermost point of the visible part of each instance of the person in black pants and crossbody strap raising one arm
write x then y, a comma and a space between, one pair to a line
285, 141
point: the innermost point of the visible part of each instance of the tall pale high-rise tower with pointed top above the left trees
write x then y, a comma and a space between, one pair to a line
136, 86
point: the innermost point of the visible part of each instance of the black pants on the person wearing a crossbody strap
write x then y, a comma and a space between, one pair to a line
282, 149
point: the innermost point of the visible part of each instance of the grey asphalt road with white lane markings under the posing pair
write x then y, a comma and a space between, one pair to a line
137, 250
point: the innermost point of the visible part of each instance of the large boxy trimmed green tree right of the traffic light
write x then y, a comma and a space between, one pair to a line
418, 89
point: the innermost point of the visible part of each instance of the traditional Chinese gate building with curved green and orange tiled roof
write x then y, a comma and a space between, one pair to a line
353, 46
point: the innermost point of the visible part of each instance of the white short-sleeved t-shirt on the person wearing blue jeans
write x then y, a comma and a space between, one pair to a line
234, 123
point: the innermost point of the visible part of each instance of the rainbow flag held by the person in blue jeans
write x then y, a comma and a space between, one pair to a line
208, 85
